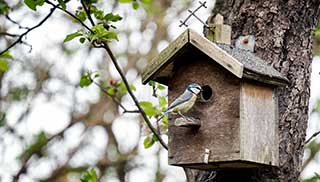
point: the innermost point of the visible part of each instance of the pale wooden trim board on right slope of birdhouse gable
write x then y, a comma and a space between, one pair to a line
216, 53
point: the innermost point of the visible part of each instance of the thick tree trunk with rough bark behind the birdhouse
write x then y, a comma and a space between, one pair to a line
283, 32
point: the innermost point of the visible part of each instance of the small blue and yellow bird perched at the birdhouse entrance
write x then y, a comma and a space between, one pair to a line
184, 102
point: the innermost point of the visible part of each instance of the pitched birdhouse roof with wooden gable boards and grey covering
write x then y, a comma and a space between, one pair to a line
241, 63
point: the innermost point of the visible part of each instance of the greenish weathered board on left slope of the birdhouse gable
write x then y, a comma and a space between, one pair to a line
156, 64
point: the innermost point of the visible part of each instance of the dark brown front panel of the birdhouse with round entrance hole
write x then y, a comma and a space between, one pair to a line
218, 113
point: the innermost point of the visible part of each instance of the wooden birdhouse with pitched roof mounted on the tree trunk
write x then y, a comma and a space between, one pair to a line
236, 113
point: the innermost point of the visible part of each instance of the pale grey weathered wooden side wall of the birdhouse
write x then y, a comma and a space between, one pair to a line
259, 123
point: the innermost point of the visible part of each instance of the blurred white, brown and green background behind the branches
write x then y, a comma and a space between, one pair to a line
53, 130
